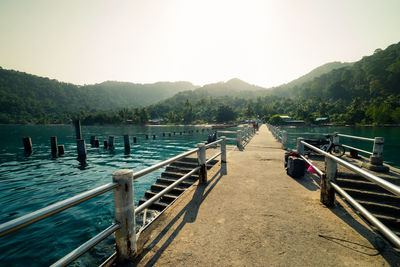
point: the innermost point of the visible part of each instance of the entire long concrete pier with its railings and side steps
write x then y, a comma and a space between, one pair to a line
234, 205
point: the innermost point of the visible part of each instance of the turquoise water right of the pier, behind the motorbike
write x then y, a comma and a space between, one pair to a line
391, 151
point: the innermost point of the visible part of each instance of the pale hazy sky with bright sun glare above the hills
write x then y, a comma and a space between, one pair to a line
262, 42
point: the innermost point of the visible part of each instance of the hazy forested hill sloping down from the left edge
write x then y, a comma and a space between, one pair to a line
29, 98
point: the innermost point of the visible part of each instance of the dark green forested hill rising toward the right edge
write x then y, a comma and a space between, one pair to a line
373, 76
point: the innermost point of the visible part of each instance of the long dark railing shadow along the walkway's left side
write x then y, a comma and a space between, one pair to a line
189, 213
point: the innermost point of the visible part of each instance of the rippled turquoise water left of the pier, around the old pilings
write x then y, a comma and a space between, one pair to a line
31, 183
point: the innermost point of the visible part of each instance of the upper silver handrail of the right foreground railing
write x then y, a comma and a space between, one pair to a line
373, 178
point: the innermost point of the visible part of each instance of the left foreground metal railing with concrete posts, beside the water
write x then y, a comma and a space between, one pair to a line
124, 210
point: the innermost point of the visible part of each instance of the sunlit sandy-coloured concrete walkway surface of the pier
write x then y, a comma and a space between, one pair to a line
256, 215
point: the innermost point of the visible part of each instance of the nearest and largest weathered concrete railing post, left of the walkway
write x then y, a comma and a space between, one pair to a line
124, 213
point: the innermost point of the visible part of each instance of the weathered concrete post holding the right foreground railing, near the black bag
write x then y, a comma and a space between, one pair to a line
327, 192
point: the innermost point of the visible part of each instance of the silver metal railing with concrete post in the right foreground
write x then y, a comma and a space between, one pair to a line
328, 184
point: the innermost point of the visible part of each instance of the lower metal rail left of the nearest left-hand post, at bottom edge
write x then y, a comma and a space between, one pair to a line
79, 251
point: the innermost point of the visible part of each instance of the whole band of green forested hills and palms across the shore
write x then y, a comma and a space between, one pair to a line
367, 91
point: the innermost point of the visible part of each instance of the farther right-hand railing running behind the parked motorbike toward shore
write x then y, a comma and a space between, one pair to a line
377, 149
